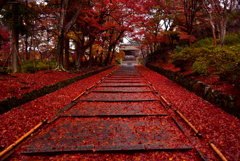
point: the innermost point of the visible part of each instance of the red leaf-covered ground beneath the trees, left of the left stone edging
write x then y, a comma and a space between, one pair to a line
23, 82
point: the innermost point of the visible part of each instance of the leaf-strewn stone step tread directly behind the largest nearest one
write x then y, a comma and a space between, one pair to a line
116, 109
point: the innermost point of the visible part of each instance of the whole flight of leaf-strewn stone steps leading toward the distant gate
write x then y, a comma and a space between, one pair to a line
120, 113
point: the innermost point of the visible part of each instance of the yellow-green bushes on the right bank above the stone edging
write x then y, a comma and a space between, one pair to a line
205, 59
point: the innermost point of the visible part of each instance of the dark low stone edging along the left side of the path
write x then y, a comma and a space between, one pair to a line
11, 102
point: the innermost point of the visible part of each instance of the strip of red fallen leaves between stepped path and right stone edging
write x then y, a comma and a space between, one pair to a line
216, 125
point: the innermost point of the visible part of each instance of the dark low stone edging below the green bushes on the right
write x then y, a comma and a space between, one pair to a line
226, 102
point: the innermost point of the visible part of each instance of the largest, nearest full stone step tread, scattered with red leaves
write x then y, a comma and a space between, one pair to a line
104, 134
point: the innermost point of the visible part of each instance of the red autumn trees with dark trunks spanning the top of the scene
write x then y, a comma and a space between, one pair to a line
61, 29
